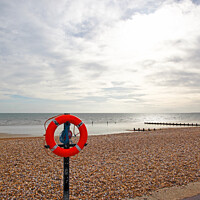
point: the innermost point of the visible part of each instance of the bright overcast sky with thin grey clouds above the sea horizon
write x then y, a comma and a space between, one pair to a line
100, 56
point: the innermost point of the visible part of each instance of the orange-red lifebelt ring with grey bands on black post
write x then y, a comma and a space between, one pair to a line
49, 136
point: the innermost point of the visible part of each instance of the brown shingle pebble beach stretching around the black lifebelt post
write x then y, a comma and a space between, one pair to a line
115, 166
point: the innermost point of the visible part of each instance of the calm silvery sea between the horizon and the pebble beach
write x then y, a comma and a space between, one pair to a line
96, 123
